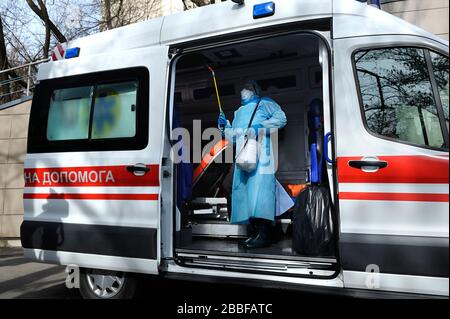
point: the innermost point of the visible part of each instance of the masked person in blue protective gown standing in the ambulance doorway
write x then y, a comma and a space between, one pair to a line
254, 193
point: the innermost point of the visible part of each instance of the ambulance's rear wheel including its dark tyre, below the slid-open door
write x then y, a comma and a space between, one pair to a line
104, 284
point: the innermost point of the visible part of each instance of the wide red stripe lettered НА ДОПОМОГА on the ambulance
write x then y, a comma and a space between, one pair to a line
114, 176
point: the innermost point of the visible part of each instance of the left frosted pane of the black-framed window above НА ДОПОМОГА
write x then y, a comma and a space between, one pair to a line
68, 117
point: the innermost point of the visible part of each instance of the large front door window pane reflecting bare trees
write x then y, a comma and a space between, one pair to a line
397, 95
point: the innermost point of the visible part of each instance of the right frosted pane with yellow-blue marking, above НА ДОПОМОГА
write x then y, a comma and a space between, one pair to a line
115, 110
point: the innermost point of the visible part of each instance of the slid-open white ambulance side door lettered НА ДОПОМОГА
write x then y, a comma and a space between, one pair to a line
92, 192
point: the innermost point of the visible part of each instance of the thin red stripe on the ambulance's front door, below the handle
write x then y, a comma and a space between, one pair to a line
412, 197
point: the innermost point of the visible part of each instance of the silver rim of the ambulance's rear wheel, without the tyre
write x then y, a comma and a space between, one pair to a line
105, 285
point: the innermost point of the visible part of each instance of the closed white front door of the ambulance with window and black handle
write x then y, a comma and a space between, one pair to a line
392, 157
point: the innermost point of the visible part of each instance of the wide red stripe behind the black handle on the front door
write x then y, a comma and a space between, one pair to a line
400, 169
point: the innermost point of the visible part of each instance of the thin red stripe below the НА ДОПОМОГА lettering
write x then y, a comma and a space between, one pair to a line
92, 196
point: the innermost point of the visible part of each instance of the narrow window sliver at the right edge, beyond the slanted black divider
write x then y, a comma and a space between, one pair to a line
440, 68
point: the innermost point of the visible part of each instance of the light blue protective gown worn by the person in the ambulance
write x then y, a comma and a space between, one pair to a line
253, 194
